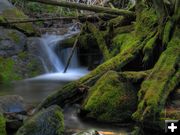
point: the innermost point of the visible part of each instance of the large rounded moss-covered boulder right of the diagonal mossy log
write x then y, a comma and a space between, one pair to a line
110, 99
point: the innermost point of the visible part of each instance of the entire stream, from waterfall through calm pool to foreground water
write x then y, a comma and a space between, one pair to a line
34, 90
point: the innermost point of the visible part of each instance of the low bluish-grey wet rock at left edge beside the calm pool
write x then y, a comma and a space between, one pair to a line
12, 104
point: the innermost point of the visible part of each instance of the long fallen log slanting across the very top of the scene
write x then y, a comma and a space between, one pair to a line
81, 6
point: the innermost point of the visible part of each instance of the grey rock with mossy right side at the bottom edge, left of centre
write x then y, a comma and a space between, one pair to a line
46, 122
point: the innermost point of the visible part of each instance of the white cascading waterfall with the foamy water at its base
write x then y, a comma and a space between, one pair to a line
54, 62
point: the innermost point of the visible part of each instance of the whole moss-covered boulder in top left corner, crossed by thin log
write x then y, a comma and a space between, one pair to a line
9, 13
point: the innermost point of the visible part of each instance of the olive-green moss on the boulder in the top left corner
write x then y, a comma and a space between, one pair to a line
14, 13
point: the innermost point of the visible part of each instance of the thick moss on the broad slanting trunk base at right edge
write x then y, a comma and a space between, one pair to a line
164, 77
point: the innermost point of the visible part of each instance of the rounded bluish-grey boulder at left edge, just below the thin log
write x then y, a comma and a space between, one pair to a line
12, 42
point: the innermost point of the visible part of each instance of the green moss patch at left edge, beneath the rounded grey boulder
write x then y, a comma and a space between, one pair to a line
7, 70
